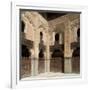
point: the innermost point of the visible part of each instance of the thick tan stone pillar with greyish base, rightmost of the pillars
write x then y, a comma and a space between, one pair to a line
67, 49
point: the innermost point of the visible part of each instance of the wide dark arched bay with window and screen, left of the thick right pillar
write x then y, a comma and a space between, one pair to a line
57, 61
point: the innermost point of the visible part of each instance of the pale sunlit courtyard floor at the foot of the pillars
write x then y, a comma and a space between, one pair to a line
52, 75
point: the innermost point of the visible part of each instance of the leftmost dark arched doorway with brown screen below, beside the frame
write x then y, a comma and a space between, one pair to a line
25, 62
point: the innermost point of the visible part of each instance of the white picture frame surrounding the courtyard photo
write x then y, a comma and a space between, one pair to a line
15, 7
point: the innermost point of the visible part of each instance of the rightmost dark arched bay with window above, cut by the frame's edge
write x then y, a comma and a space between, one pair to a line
76, 55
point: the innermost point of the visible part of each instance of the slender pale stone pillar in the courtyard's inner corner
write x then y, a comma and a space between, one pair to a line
47, 60
